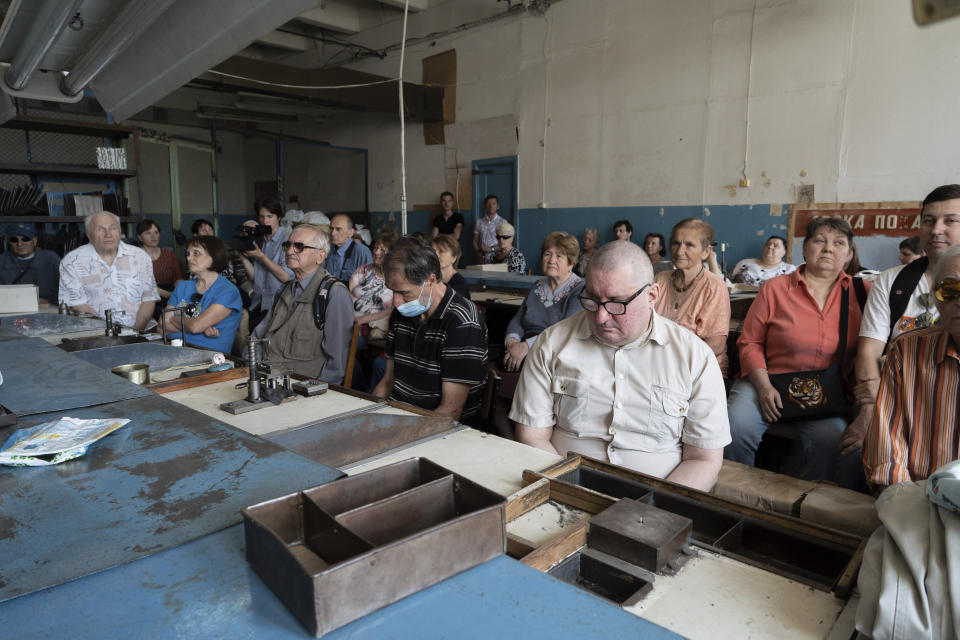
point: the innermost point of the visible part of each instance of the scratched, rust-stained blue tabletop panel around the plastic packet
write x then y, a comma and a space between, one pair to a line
171, 475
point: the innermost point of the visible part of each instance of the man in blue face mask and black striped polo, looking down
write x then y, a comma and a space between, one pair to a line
437, 342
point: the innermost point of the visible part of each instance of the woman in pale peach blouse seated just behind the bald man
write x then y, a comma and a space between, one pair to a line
690, 295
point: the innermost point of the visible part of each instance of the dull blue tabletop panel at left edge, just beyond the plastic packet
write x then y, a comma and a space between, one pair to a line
38, 378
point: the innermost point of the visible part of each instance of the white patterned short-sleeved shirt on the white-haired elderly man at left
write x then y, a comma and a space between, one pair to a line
121, 287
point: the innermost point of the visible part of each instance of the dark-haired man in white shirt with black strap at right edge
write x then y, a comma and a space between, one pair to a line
901, 300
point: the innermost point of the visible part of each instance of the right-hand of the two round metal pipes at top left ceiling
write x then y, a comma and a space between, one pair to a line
131, 22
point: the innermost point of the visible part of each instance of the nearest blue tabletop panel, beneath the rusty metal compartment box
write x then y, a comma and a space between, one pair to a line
205, 589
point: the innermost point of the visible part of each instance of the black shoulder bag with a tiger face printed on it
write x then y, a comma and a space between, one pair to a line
812, 395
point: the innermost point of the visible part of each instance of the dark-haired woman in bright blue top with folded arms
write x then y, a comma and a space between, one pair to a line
211, 302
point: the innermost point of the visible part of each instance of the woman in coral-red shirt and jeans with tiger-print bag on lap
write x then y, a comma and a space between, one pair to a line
794, 325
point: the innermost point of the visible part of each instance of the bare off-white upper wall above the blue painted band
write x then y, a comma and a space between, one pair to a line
659, 102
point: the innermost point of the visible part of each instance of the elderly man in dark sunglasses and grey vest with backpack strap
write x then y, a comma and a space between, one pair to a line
310, 323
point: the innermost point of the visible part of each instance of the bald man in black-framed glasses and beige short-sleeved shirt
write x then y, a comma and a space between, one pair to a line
617, 382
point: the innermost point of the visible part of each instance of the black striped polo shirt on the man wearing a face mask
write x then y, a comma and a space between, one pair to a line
451, 346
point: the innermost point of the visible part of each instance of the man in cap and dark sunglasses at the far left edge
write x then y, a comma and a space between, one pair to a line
24, 263
